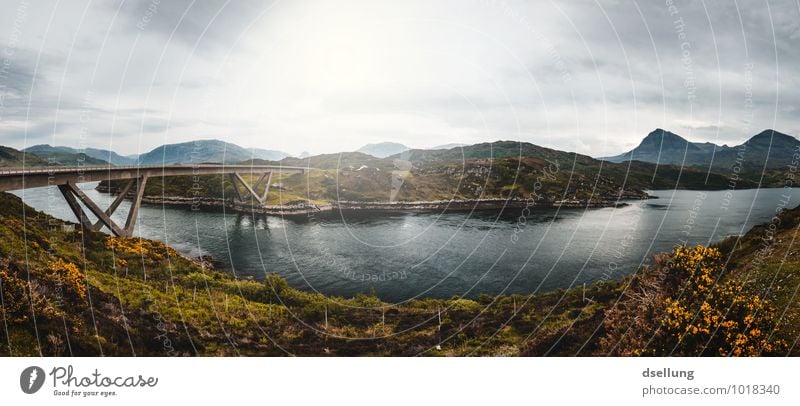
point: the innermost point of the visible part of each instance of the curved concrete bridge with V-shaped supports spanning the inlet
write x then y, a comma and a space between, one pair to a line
67, 178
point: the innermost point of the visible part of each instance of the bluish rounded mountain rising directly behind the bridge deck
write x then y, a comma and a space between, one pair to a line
205, 151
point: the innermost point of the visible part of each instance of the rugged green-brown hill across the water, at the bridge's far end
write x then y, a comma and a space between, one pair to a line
499, 170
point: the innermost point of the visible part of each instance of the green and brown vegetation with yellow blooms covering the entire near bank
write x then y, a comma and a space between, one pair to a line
66, 292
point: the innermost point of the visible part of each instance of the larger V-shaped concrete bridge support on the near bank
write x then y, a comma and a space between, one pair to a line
73, 195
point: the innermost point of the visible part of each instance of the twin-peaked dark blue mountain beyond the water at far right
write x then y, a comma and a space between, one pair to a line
768, 149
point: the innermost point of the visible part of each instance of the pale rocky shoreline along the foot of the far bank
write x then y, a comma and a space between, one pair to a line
302, 208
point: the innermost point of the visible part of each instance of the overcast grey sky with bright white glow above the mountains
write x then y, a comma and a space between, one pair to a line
329, 76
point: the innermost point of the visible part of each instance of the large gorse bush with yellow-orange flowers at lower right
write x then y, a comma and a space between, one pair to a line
685, 305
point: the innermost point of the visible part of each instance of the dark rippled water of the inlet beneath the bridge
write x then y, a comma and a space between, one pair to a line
409, 255
